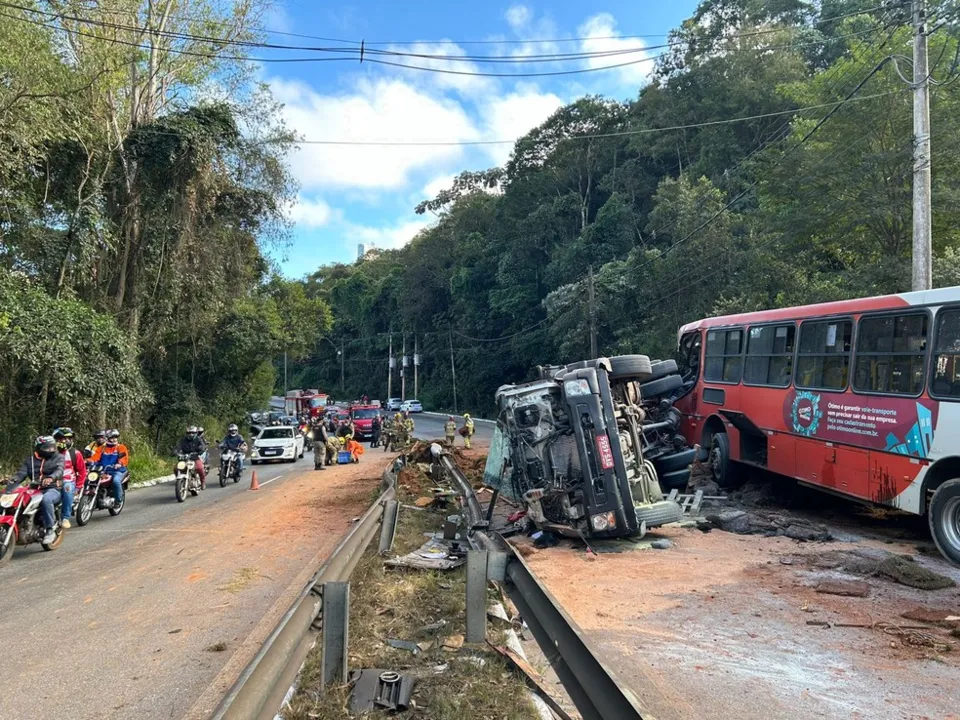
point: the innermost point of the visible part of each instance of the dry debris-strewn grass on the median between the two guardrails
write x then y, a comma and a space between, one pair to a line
387, 603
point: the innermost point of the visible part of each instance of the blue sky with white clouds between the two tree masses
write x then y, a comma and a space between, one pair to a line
360, 194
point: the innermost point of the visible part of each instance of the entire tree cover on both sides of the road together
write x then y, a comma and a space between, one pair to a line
144, 184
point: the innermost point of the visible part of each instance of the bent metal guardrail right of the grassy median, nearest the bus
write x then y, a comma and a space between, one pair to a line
593, 688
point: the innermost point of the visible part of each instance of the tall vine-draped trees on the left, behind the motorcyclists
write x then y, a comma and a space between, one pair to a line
136, 208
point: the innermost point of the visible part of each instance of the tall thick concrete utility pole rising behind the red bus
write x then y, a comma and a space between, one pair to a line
922, 215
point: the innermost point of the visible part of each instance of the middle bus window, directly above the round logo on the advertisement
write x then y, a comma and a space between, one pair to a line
823, 356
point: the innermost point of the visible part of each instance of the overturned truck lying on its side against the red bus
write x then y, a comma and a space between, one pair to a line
590, 447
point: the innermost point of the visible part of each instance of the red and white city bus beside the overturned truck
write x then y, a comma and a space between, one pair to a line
858, 397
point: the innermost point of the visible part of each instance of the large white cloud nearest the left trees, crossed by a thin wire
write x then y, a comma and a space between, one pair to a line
384, 110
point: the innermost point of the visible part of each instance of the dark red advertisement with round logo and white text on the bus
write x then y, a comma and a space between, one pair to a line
899, 425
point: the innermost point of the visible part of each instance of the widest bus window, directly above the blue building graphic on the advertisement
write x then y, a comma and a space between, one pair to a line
890, 354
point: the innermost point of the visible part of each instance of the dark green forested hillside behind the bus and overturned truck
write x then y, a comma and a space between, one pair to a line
768, 163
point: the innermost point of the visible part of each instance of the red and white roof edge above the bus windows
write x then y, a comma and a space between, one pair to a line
940, 296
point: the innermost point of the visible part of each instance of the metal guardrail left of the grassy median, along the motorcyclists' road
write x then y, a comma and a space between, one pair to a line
261, 688
